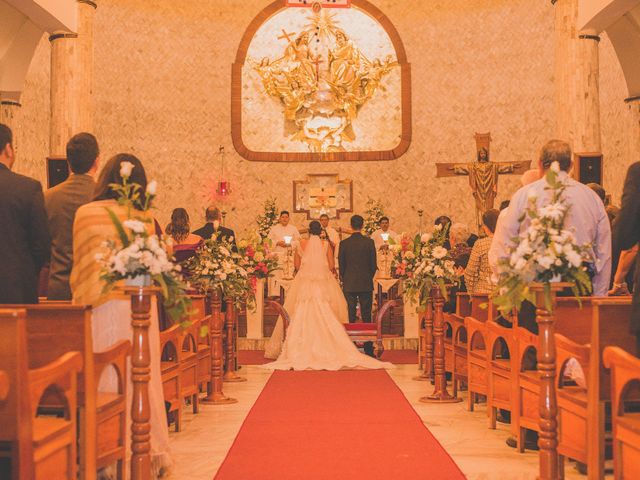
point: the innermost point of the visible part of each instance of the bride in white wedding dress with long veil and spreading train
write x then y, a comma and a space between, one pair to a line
316, 338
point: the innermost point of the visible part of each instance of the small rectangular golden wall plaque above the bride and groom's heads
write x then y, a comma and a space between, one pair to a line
322, 194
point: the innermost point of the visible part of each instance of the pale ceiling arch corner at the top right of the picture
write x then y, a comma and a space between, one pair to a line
621, 20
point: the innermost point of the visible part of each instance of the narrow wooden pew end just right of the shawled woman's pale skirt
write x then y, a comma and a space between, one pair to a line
170, 370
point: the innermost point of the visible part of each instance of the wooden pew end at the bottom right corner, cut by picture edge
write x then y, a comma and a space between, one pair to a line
625, 377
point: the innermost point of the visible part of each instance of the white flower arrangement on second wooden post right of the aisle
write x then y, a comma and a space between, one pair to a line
422, 262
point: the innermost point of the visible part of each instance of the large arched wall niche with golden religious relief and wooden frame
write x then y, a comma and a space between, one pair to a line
321, 84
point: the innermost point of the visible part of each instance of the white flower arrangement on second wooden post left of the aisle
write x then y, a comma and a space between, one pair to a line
217, 265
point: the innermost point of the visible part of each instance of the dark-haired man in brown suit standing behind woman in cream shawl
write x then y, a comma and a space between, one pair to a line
62, 202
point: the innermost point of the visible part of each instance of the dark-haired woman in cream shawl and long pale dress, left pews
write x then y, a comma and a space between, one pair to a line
111, 319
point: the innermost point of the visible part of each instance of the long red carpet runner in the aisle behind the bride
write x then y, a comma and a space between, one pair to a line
335, 425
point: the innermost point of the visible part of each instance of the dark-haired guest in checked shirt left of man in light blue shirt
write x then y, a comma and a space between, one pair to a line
477, 275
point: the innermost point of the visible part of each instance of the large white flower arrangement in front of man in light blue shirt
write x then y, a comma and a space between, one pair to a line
545, 252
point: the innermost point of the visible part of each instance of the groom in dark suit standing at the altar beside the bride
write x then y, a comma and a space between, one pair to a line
357, 263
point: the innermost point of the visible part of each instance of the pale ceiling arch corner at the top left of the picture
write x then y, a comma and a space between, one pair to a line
22, 23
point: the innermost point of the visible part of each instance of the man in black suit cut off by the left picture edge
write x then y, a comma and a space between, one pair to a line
24, 233
